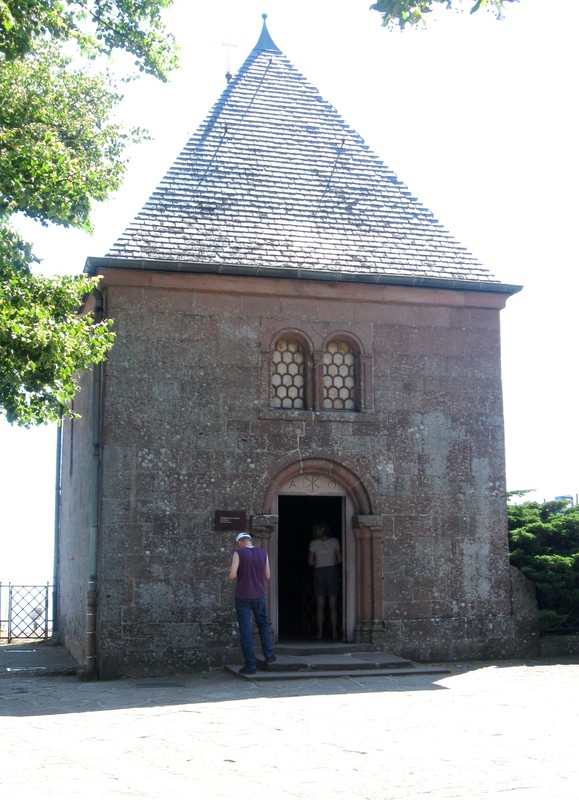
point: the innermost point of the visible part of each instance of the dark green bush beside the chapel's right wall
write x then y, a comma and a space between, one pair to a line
544, 545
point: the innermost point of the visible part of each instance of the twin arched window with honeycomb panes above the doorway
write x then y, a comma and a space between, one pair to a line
332, 384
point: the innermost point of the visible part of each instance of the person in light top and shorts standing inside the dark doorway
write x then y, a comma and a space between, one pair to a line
325, 555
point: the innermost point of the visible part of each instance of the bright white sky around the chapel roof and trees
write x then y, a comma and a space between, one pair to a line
477, 117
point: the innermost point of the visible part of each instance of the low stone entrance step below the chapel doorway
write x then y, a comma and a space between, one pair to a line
332, 659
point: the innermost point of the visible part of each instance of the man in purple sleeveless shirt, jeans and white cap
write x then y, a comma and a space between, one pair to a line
250, 568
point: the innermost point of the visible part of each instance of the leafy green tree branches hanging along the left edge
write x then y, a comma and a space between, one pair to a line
60, 151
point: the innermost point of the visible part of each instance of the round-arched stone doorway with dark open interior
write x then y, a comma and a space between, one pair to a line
305, 491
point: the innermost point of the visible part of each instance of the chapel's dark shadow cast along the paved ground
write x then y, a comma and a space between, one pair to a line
28, 690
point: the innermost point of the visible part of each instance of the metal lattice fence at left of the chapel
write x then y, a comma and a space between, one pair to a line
25, 612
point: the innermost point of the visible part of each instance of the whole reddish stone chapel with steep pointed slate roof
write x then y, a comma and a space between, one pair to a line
297, 339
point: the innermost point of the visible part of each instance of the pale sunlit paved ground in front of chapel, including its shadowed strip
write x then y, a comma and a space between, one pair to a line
501, 730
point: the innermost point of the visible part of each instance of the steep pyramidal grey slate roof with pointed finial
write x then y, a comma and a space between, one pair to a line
275, 182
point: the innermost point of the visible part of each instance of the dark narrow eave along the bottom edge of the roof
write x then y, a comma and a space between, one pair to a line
94, 264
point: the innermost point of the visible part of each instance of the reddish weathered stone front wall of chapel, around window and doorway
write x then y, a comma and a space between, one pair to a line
187, 429
